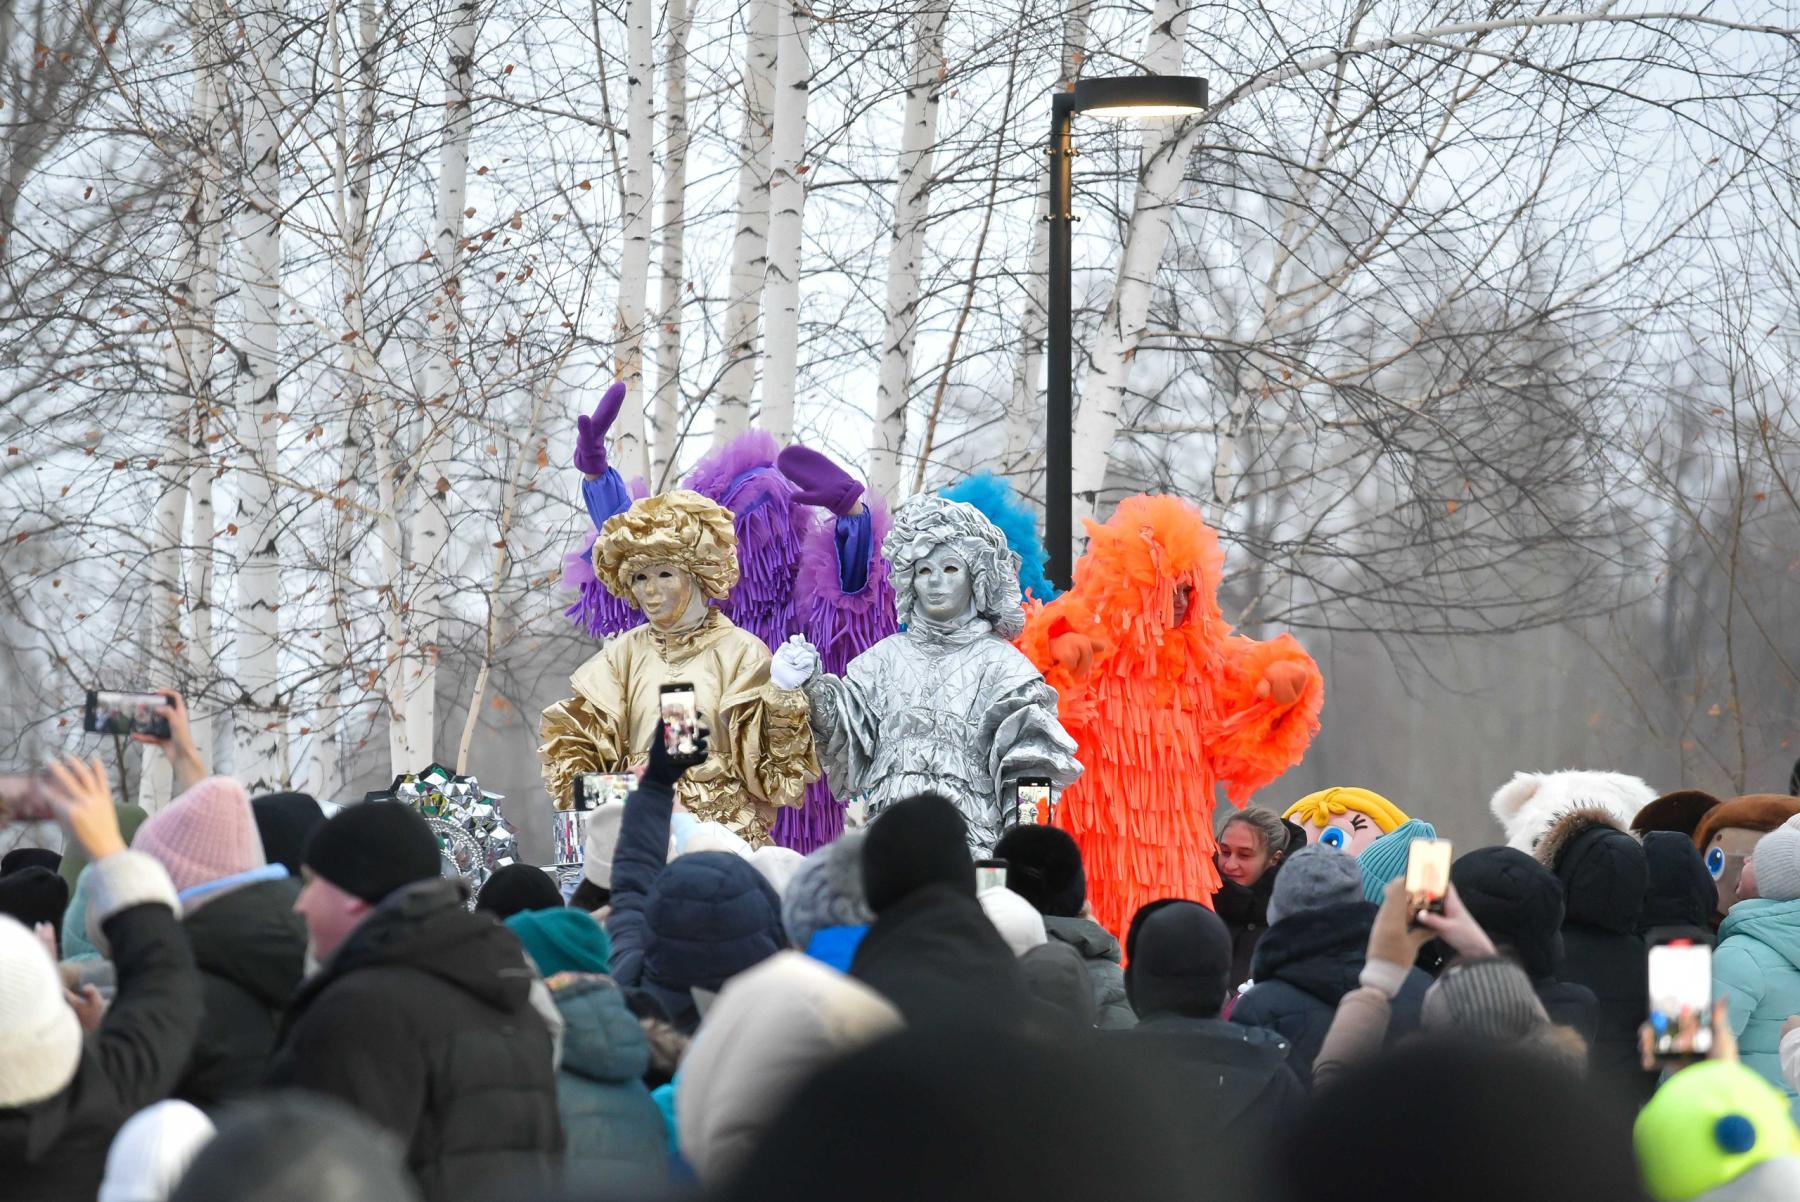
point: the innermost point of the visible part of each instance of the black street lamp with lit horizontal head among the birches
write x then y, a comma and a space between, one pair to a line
1119, 96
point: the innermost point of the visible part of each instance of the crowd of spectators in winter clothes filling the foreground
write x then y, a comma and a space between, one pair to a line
269, 1000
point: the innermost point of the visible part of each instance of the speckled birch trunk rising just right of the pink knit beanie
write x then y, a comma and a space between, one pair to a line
260, 735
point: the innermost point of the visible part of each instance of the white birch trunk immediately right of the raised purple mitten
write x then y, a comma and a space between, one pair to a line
627, 445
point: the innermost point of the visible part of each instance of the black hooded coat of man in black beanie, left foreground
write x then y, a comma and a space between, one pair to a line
424, 1021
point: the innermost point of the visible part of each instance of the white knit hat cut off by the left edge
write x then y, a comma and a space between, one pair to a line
40, 1037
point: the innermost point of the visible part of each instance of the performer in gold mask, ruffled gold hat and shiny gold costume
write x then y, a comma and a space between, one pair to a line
674, 557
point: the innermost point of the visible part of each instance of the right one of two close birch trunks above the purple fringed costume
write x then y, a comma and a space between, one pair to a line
787, 211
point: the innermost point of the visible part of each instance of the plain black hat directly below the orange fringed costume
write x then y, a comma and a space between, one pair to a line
1178, 960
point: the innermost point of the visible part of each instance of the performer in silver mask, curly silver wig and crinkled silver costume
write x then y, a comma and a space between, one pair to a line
948, 704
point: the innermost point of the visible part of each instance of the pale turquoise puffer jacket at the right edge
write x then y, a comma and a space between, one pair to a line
1758, 971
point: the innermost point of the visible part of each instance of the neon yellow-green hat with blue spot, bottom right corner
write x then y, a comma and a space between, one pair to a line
1707, 1126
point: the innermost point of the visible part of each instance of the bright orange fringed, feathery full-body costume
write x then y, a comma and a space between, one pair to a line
1164, 712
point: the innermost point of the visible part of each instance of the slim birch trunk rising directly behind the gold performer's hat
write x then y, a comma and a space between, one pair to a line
674, 271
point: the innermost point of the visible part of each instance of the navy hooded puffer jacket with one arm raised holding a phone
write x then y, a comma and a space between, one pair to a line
694, 922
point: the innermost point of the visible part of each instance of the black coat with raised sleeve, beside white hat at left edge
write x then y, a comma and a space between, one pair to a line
57, 1151
